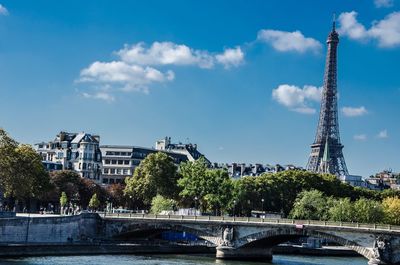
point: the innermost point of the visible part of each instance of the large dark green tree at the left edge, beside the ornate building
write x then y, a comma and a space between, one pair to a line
20, 164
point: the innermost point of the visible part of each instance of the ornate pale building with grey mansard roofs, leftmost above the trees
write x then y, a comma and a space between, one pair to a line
73, 151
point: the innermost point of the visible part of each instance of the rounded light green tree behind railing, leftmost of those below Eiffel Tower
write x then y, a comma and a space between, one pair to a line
312, 205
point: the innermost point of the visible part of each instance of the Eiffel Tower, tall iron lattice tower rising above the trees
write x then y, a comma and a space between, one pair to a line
326, 151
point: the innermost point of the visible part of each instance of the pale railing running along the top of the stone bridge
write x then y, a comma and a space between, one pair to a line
251, 220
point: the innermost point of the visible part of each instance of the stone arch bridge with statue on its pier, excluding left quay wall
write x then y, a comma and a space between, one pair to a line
253, 238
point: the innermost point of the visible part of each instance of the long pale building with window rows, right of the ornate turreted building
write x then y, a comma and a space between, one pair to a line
120, 161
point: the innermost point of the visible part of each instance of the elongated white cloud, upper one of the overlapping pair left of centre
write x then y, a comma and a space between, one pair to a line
165, 53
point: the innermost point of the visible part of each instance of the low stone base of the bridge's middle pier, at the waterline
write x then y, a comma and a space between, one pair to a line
244, 254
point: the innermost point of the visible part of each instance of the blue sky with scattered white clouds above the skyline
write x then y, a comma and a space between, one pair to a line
243, 81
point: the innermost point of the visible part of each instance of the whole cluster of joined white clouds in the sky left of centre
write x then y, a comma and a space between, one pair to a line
136, 68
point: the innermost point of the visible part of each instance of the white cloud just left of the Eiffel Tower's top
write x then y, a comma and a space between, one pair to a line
284, 41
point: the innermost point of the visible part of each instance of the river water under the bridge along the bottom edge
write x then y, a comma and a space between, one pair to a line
177, 260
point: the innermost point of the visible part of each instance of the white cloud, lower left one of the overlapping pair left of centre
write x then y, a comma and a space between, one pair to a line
124, 76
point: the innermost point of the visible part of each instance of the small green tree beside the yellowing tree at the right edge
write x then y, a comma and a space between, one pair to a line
368, 211
